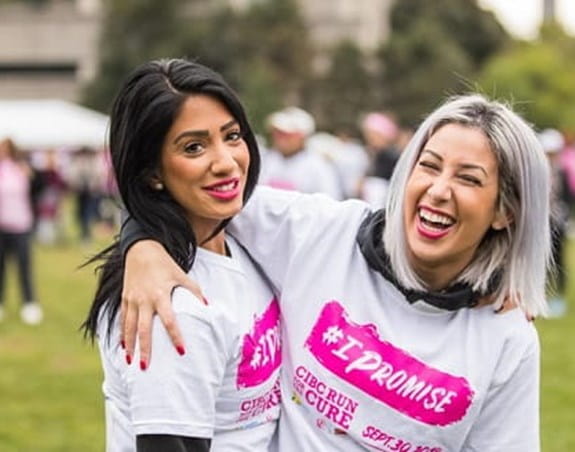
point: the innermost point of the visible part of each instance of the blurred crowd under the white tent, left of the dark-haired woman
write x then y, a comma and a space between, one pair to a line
33, 186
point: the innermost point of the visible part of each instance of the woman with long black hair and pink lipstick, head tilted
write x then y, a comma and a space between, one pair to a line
186, 160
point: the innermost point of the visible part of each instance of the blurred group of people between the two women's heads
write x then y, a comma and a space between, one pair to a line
298, 157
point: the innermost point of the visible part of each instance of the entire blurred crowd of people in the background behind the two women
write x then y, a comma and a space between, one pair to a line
295, 156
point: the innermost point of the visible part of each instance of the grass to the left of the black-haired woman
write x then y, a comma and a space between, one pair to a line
50, 378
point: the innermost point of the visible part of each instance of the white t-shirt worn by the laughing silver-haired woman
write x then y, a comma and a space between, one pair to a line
365, 370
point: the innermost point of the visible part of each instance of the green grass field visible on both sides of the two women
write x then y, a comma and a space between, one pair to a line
50, 379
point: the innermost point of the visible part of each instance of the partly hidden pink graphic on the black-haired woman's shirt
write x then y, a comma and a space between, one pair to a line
261, 349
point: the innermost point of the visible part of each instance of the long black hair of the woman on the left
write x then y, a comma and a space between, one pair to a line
142, 114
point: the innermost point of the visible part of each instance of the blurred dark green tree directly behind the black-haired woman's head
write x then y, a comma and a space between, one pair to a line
262, 52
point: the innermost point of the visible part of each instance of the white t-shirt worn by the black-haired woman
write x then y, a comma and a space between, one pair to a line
226, 385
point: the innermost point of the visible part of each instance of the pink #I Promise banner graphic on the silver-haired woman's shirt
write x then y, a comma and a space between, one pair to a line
357, 355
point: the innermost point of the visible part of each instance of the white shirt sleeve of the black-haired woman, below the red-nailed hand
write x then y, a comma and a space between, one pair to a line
177, 394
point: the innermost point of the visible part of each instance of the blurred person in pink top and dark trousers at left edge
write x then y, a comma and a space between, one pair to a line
16, 221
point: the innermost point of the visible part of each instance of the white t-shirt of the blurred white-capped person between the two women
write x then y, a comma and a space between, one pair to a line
304, 171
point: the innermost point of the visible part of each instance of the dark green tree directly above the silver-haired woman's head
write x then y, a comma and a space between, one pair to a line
435, 49
